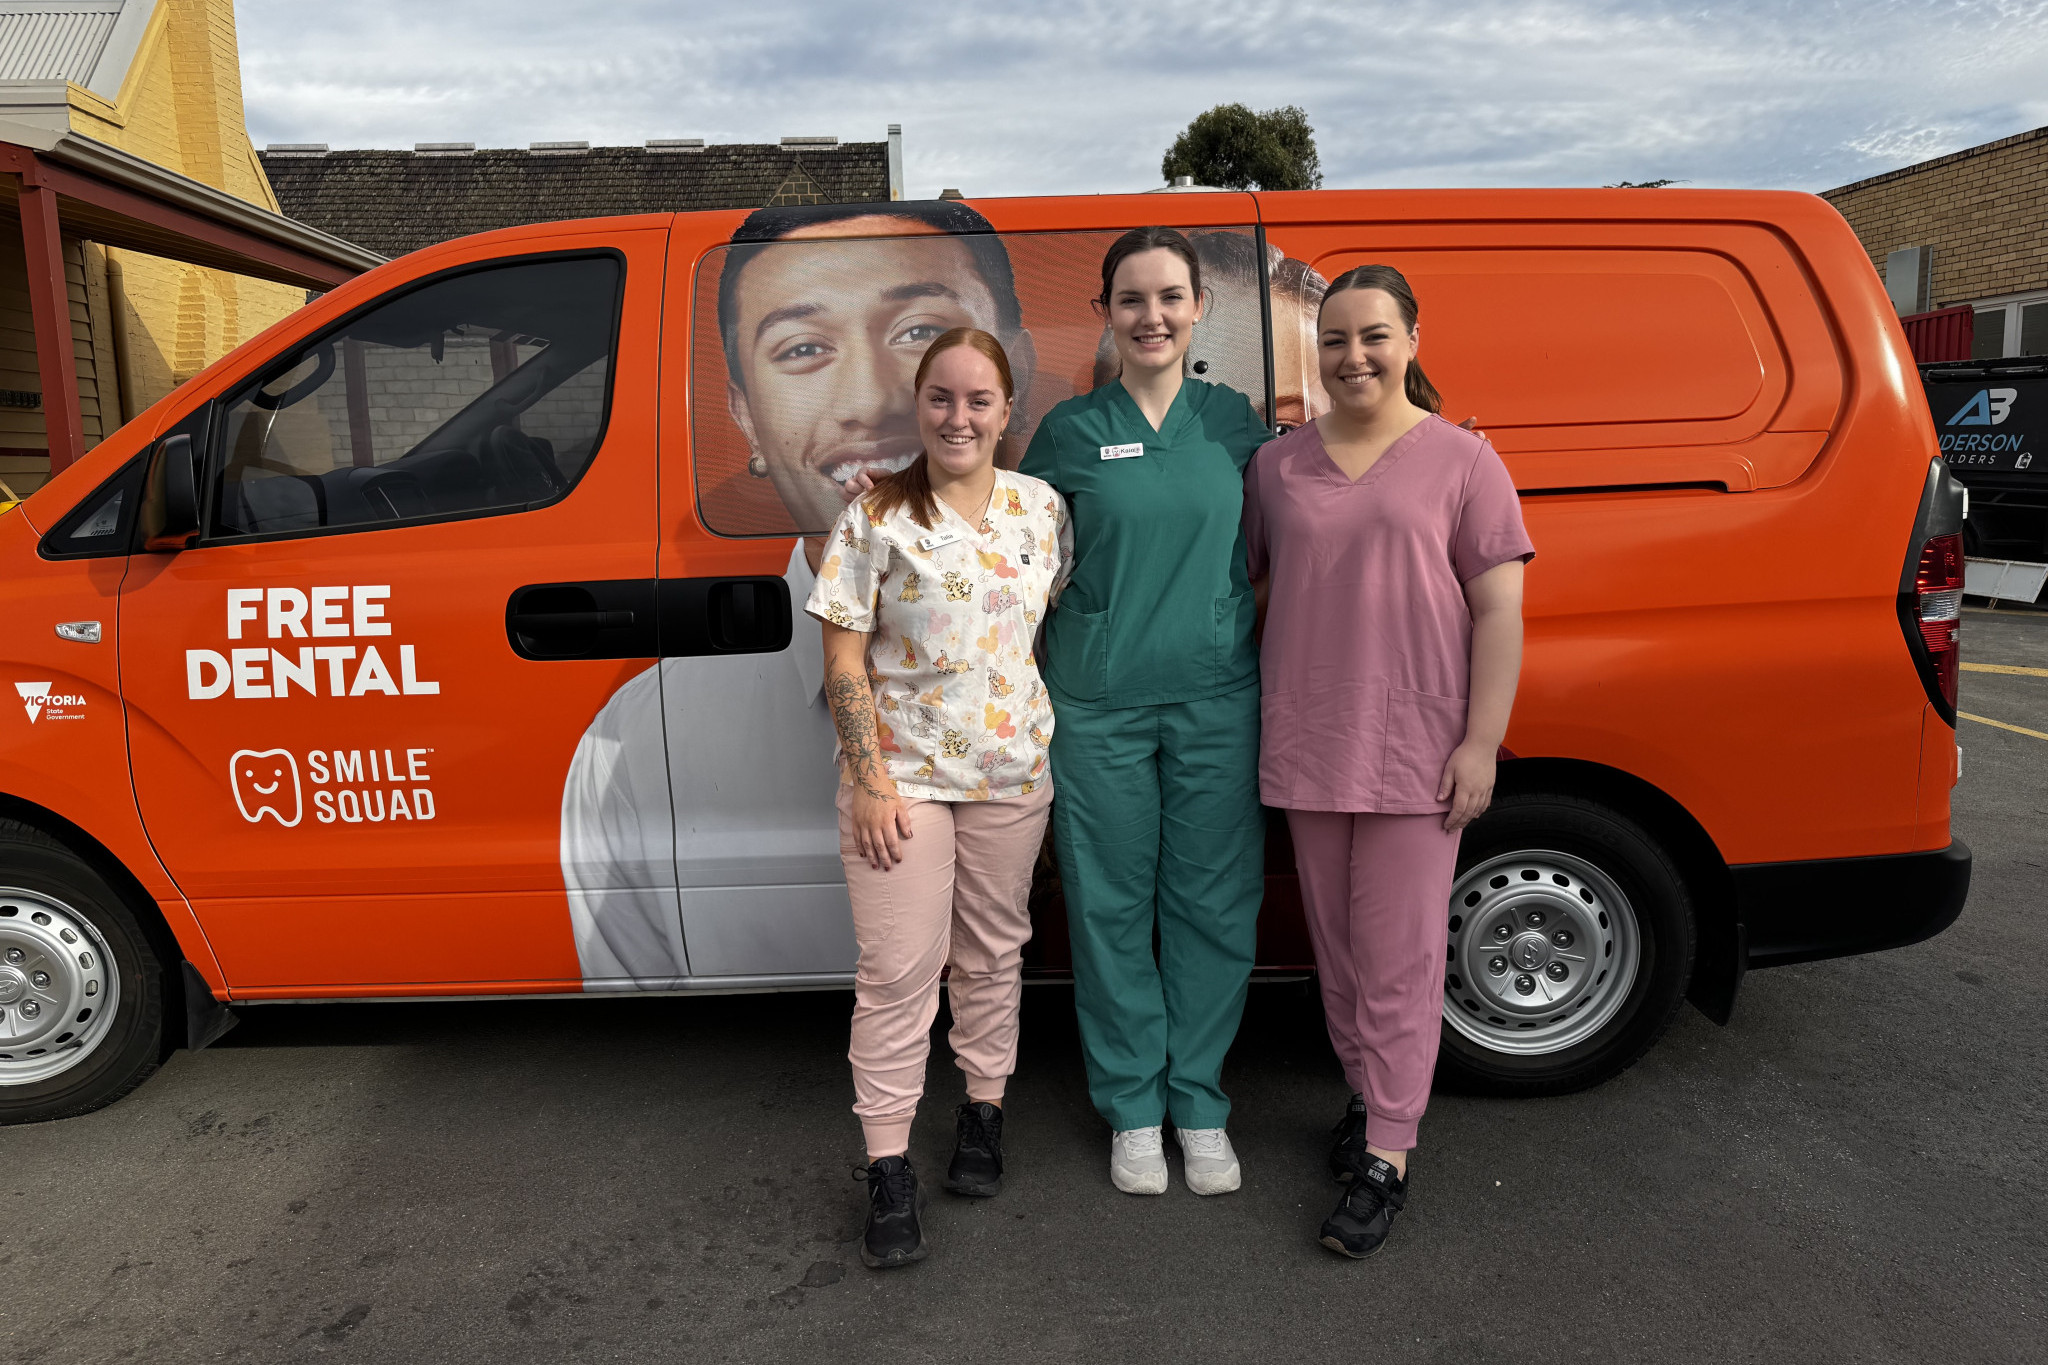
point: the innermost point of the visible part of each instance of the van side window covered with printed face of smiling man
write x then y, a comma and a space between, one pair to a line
814, 343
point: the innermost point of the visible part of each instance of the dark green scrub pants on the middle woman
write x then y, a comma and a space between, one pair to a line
1158, 826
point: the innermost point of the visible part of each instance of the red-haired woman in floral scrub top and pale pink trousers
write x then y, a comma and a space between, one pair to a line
931, 597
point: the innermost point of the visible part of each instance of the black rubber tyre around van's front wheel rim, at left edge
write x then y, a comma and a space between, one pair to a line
130, 1047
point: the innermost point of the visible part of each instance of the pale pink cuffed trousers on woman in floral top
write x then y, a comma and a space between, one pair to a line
962, 899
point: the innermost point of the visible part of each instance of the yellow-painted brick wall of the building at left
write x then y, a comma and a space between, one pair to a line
144, 324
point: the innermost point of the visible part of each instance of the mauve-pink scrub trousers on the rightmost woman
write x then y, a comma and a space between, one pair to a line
1377, 893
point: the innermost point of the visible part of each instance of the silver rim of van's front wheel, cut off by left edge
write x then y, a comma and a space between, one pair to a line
58, 987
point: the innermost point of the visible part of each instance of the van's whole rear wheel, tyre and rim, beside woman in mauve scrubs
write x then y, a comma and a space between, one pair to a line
1572, 942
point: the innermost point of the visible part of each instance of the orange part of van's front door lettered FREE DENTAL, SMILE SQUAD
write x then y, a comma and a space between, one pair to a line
425, 813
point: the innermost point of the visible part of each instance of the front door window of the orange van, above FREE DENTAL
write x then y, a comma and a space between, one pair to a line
480, 392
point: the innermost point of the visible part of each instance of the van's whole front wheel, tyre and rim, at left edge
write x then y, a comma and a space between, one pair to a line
81, 989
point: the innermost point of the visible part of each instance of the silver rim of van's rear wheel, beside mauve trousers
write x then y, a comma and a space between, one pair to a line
1543, 951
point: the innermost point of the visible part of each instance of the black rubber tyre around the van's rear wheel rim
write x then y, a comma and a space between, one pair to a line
1652, 883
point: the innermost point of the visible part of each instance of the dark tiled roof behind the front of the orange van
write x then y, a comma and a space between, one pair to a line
400, 202
